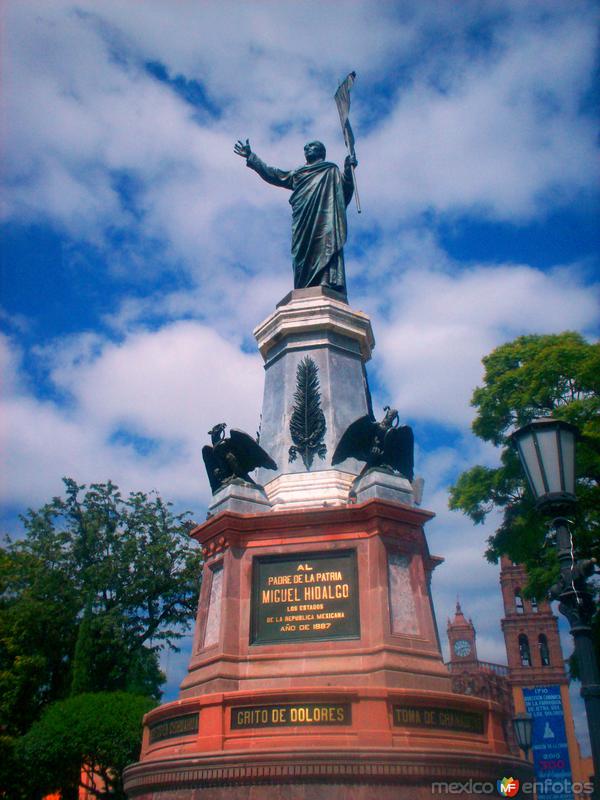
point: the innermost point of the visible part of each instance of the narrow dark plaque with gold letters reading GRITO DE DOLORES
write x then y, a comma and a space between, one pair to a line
291, 714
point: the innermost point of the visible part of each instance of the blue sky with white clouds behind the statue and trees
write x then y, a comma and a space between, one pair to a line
139, 252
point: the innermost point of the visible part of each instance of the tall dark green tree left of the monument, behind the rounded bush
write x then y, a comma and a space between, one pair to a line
97, 586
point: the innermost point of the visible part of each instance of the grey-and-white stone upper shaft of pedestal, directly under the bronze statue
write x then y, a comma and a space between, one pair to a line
318, 324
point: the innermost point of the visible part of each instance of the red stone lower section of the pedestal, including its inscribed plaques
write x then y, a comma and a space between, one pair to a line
316, 669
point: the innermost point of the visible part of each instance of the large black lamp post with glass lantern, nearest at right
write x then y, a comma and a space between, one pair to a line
546, 448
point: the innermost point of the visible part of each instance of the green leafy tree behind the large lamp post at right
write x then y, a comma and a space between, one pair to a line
535, 376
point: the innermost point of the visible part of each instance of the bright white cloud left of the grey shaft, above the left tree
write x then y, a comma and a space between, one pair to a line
170, 386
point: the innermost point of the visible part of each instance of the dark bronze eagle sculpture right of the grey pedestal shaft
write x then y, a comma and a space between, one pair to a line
386, 444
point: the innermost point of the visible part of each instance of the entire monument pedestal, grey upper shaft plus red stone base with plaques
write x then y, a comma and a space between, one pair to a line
316, 671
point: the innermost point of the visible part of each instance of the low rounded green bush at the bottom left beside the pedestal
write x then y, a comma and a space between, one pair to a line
98, 733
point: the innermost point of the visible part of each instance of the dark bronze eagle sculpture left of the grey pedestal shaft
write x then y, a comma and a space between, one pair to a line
232, 457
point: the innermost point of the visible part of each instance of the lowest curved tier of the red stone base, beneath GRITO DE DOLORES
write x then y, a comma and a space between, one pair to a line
322, 775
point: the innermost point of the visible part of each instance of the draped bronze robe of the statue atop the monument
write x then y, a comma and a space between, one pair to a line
320, 194
